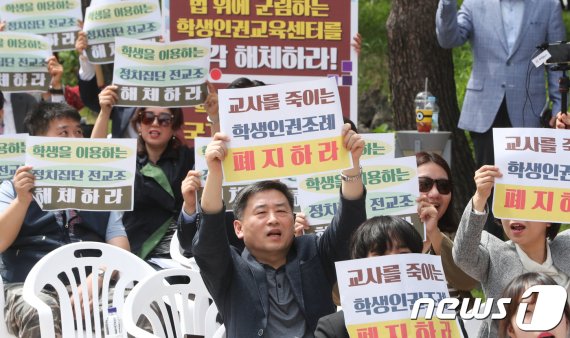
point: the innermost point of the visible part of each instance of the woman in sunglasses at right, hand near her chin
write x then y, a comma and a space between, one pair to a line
435, 208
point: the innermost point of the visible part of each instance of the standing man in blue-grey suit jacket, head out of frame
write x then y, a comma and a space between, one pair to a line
504, 88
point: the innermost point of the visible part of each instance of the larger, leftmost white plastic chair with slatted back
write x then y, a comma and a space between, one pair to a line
66, 269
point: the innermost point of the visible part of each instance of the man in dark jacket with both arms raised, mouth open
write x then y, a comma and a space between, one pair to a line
301, 269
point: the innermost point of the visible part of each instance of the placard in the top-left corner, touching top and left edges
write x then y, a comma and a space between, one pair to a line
57, 20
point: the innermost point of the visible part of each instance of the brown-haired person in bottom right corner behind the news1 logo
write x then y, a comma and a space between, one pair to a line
514, 291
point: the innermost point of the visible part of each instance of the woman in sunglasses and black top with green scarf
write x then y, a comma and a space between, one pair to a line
163, 162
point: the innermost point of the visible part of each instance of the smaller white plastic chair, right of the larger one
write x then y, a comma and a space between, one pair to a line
186, 304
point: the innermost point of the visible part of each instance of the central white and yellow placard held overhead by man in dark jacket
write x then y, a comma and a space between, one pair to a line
282, 130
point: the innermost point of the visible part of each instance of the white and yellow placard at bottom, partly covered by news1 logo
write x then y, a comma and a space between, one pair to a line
377, 295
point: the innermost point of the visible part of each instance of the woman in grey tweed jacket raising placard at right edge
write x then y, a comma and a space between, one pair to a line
533, 247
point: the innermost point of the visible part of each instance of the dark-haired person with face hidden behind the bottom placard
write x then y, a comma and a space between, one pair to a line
378, 236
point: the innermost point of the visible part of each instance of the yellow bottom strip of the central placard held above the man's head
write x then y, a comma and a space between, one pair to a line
285, 159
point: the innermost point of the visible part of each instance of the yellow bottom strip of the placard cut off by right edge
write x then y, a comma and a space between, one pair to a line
532, 203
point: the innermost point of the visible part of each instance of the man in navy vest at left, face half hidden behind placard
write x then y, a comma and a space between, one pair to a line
28, 233
